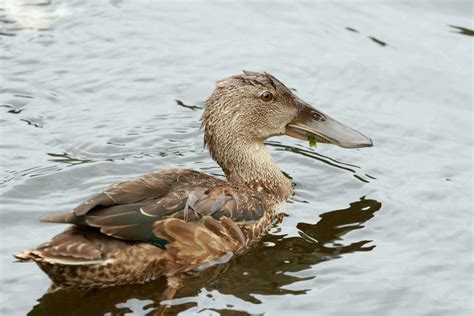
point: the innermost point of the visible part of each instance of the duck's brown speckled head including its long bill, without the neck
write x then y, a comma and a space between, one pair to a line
252, 107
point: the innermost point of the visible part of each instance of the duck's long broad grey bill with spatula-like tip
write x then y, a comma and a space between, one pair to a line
311, 123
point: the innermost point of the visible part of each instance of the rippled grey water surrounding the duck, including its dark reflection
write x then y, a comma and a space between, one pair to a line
88, 97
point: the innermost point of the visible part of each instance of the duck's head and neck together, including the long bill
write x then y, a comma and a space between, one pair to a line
246, 109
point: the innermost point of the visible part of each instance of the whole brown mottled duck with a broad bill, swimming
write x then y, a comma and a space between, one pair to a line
177, 221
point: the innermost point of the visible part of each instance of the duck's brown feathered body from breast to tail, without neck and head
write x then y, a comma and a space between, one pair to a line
162, 223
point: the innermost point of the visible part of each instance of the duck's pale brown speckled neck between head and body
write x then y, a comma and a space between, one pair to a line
250, 164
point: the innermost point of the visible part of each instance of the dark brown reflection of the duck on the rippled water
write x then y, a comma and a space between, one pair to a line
263, 271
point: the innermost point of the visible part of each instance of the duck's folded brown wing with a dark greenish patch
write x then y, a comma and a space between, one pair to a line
132, 210
